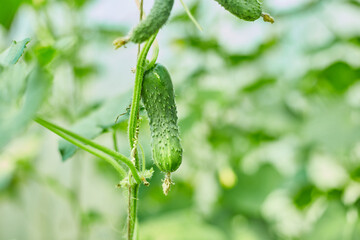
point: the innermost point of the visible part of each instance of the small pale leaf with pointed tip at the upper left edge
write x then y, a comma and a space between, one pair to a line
13, 53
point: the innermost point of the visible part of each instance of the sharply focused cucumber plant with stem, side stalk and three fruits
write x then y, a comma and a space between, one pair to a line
154, 87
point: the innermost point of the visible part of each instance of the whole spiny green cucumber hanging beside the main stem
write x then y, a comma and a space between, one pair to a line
158, 97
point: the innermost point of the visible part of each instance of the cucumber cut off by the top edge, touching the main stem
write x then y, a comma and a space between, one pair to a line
157, 17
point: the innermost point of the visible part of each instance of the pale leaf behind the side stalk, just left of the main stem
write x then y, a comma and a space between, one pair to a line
95, 123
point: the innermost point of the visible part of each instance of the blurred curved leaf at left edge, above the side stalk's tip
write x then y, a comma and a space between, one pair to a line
38, 84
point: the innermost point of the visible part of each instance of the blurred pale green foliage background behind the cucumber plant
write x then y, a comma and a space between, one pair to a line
269, 118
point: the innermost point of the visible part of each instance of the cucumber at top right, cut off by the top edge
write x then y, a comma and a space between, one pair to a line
248, 10
